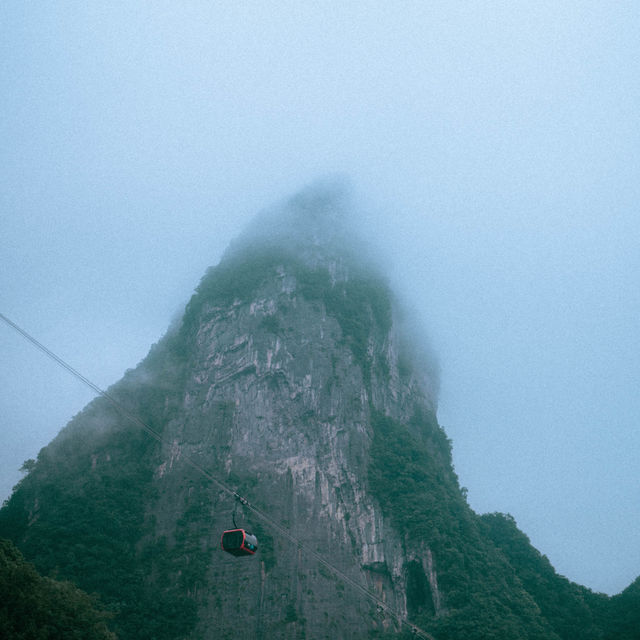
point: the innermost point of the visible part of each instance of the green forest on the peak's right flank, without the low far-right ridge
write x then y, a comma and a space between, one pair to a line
482, 597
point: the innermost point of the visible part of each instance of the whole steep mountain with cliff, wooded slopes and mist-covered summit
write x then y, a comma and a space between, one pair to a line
290, 381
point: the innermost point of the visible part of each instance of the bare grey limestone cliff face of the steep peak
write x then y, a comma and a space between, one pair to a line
278, 398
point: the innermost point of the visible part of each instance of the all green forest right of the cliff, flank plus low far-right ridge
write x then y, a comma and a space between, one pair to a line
494, 583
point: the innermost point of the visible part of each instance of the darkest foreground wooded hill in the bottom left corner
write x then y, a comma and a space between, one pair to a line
33, 607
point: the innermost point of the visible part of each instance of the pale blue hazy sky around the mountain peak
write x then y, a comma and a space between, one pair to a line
494, 147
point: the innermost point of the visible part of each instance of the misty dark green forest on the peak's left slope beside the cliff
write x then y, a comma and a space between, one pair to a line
79, 515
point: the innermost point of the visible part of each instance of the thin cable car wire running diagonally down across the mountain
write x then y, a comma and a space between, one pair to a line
285, 533
